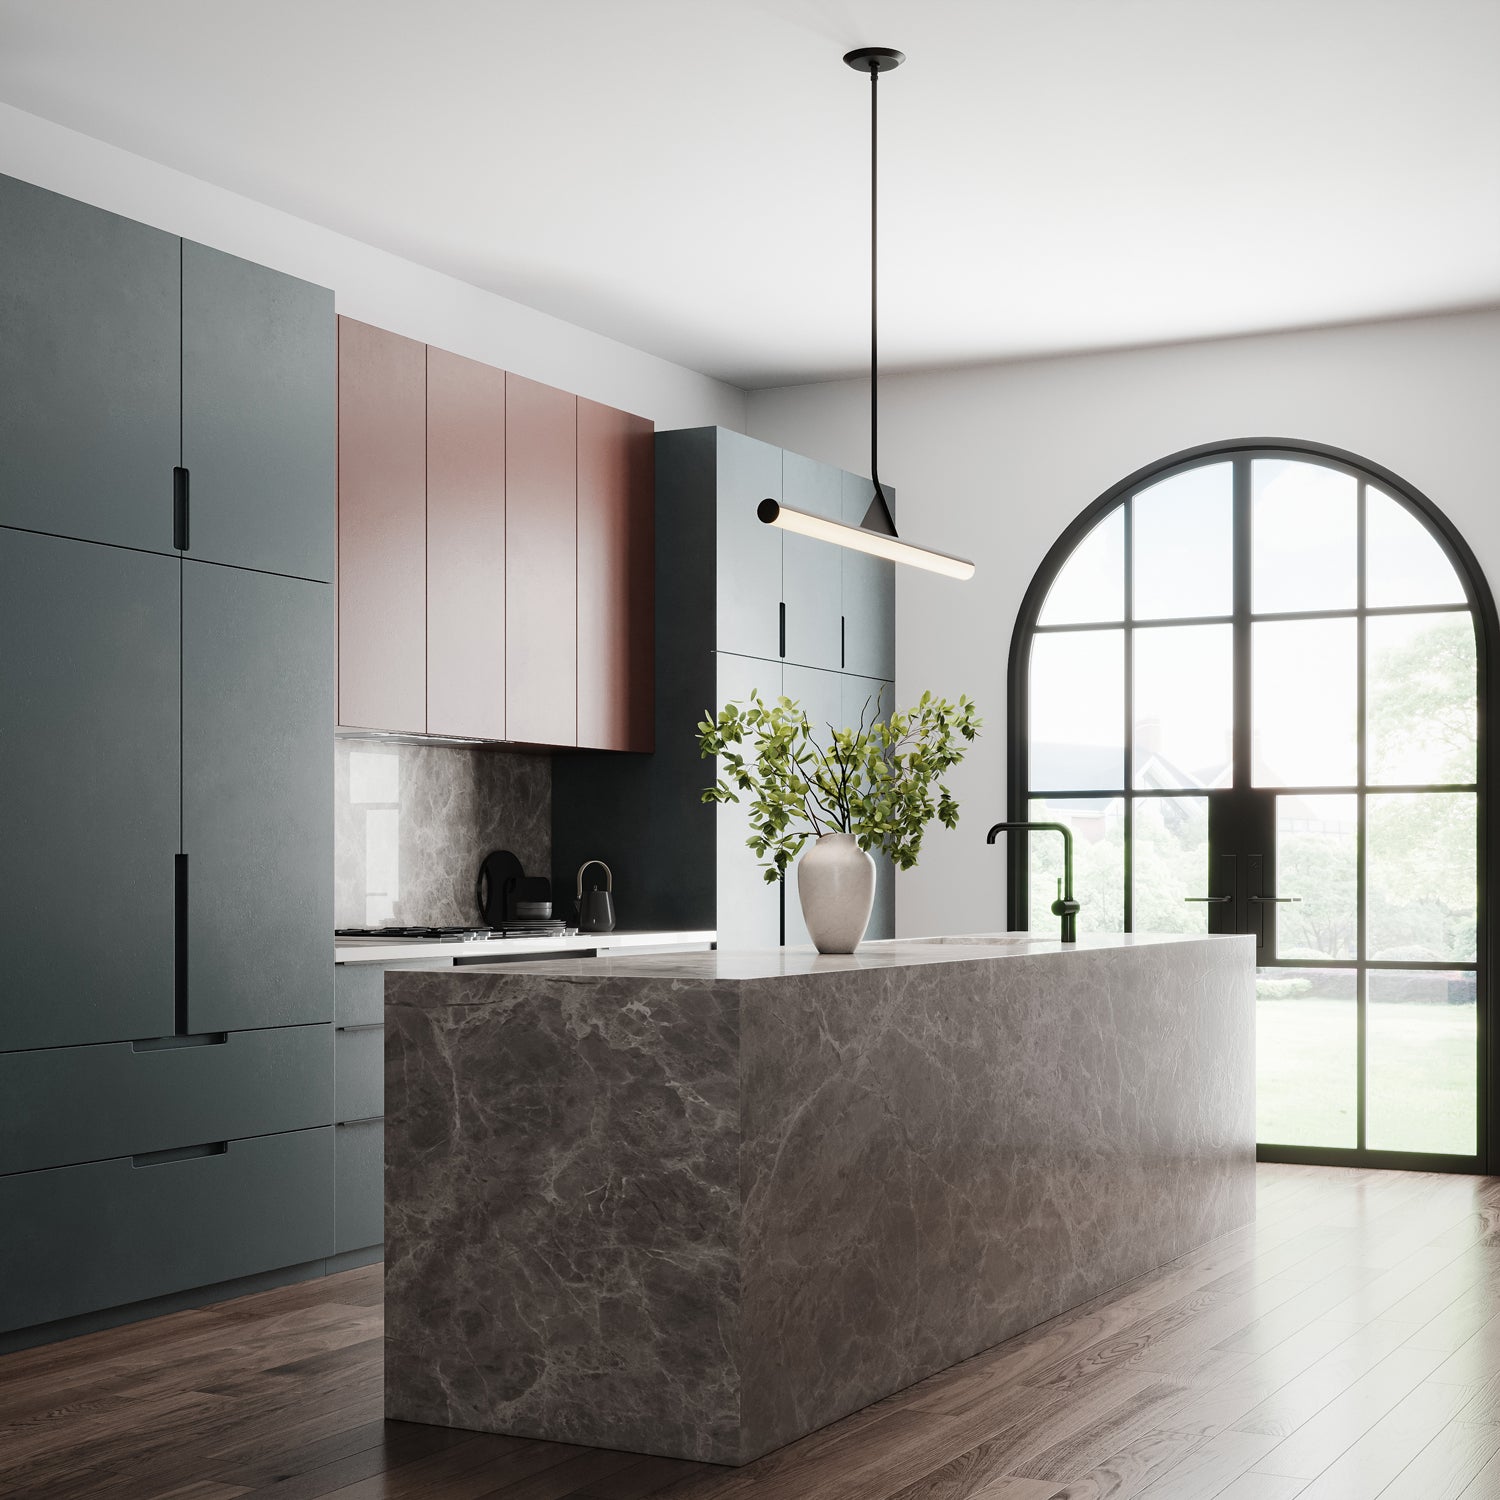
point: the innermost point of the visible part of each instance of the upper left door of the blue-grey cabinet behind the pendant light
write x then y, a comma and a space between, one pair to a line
749, 554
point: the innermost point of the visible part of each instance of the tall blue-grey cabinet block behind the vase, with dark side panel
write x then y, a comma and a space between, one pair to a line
739, 607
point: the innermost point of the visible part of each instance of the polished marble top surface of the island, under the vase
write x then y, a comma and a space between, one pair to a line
776, 964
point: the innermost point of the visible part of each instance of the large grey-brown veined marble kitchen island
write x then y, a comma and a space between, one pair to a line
704, 1204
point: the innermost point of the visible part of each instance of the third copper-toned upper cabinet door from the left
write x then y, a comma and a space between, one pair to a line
541, 565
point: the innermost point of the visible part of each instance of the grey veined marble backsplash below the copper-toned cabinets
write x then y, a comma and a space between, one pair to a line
415, 821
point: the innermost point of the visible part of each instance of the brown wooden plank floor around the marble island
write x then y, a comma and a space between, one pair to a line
1345, 1348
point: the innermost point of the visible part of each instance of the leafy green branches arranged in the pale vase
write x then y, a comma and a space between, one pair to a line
875, 781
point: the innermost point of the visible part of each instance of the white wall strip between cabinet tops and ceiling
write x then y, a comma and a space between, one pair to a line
368, 284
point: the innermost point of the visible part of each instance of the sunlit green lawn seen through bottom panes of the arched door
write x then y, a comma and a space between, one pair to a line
1421, 1076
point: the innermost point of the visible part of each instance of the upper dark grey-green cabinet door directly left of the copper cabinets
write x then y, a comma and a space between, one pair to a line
259, 415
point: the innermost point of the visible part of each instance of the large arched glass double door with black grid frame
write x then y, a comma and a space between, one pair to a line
1253, 680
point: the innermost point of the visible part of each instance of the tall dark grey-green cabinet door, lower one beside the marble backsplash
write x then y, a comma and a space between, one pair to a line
257, 680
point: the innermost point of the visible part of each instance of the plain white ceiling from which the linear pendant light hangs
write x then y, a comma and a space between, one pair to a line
691, 176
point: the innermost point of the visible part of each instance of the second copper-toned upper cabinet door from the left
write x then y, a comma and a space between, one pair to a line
466, 548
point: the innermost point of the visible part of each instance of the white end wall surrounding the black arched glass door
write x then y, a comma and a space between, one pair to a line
994, 463
